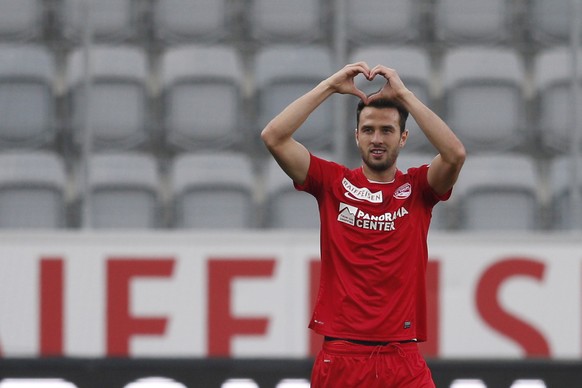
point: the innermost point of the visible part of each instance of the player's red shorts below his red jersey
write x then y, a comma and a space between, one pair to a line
341, 364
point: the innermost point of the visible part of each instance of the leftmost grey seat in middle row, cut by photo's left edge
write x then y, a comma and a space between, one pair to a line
27, 96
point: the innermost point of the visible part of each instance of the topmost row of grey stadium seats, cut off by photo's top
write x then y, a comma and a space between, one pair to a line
168, 21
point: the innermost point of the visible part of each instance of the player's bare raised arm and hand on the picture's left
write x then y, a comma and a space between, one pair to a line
292, 156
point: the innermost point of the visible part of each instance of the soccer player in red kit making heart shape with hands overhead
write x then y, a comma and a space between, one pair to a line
371, 306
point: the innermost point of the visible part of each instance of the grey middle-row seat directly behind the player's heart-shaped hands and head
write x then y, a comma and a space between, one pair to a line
413, 66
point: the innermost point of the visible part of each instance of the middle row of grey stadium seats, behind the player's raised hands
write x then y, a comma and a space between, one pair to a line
205, 97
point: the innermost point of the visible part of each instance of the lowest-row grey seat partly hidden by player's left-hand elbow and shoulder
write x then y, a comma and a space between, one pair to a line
285, 207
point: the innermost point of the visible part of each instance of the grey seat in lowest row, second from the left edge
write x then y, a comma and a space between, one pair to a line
124, 191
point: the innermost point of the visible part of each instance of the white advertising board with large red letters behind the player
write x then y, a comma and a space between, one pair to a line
250, 295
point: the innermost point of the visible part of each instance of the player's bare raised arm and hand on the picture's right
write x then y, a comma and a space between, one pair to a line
446, 166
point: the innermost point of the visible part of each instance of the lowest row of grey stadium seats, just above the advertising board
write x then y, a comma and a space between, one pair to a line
222, 190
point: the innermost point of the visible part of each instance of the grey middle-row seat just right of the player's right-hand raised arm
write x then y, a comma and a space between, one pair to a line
484, 97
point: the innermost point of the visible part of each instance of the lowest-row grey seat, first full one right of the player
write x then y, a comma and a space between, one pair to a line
499, 192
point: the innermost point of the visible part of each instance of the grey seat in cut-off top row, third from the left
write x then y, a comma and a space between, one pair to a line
191, 20
